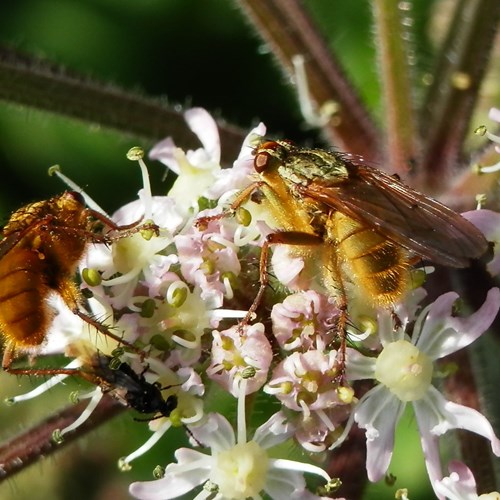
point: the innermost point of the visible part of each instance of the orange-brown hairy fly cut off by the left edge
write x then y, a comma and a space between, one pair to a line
42, 246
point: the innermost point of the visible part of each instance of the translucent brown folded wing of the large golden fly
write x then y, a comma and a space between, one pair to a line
422, 225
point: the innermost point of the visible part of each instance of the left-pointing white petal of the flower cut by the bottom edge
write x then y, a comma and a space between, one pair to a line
192, 469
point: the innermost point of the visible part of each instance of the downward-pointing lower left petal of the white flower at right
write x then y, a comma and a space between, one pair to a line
378, 413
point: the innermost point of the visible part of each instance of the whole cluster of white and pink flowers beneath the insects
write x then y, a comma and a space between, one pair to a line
182, 299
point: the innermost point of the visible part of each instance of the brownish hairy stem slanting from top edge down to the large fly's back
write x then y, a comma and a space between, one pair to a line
289, 30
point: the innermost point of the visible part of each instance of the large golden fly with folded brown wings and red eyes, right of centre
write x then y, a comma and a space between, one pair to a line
360, 225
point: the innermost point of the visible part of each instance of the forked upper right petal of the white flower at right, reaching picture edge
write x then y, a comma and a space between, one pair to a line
443, 334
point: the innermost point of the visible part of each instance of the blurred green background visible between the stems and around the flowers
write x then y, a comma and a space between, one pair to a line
196, 53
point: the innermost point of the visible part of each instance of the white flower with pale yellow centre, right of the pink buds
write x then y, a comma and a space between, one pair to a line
404, 372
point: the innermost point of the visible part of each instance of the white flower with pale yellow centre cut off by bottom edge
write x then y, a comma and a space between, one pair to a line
236, 468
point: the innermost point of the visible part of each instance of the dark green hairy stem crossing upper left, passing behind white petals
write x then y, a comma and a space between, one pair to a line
37, 83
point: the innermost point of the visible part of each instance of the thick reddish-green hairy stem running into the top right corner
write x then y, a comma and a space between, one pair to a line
456, 82
